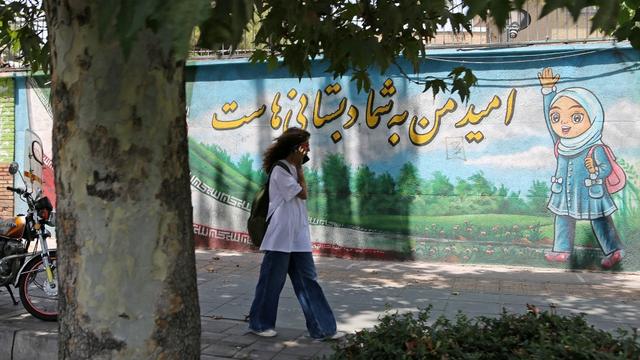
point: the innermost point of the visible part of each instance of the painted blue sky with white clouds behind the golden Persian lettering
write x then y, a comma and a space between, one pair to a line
513, 155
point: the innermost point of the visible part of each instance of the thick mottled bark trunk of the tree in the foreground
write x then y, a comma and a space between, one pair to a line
126, 251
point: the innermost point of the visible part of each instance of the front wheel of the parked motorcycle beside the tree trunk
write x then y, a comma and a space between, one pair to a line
32, 292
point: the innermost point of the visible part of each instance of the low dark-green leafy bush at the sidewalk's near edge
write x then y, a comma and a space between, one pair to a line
535, 335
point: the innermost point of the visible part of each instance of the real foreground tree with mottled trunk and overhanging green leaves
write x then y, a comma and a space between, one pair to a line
127, 272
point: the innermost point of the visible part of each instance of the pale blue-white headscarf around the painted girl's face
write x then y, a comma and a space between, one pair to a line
593, 107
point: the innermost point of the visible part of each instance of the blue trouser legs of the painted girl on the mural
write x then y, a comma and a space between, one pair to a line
603, 228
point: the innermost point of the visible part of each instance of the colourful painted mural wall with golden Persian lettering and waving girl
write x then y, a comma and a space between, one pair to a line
538, 168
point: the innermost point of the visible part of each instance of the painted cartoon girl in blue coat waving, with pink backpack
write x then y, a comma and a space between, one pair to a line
575, 119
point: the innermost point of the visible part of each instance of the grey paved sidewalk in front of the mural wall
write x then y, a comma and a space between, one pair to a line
359, 292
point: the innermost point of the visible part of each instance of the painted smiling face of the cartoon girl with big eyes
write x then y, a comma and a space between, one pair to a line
568, 118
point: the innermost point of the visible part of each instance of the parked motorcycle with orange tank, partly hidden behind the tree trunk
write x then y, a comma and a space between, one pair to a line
30, 269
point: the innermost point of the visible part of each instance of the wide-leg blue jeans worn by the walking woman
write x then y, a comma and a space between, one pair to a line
302, 272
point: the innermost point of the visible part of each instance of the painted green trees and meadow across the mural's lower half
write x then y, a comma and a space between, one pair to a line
437, 218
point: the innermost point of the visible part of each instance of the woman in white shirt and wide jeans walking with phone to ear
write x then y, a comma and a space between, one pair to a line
287, 243
